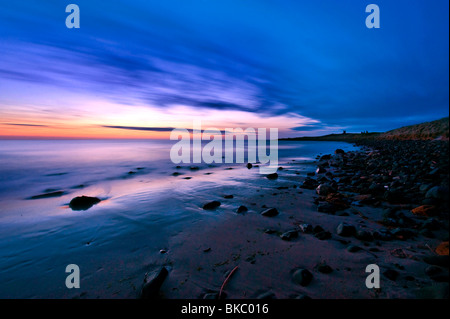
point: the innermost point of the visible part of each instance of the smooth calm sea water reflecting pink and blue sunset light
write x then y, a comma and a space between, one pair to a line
138, 212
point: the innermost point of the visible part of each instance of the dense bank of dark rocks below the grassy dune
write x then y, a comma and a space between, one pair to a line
396, 175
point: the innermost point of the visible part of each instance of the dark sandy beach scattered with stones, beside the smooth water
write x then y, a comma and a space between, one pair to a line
267, 252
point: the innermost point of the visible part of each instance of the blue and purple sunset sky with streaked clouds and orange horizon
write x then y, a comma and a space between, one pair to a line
139, 68
